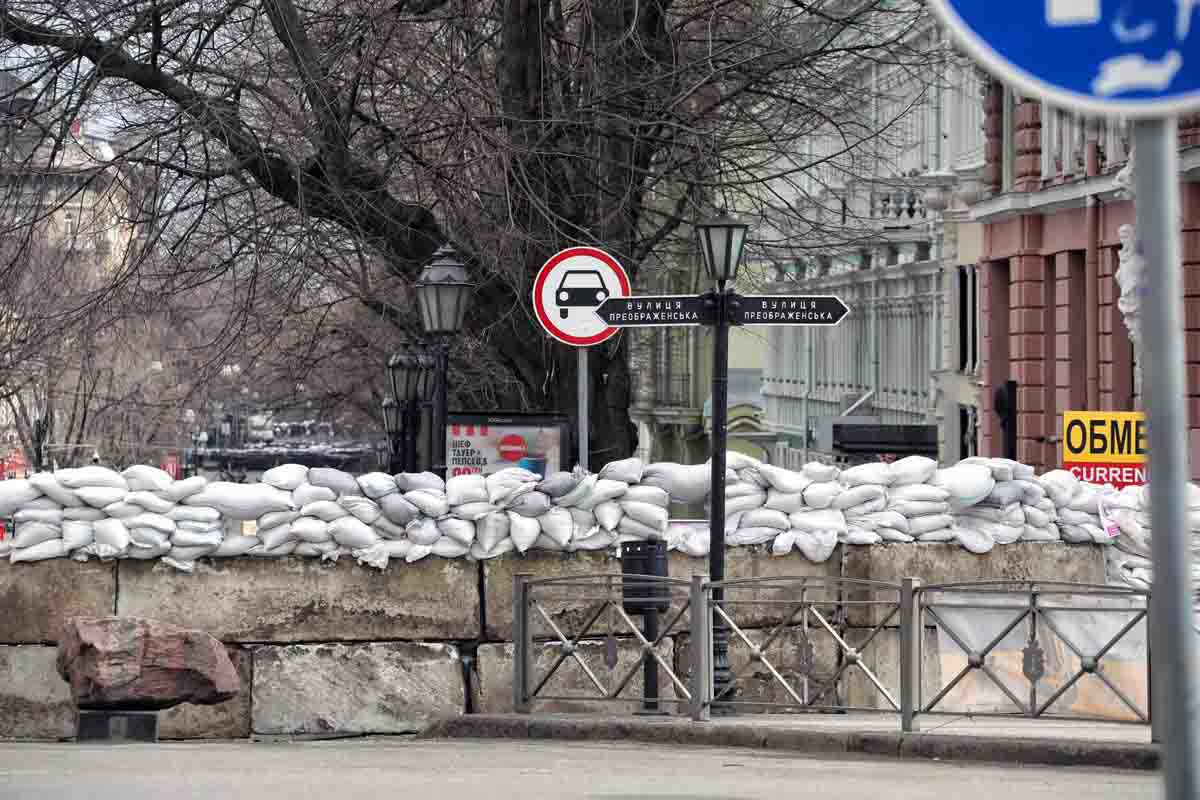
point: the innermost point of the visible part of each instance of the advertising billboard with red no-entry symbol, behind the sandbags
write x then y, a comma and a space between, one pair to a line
482, 444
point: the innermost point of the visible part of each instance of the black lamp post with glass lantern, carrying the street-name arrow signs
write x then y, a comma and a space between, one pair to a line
721, 243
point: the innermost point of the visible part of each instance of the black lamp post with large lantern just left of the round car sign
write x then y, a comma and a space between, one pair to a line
442, 292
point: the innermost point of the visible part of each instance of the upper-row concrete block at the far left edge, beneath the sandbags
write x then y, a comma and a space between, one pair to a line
38, 598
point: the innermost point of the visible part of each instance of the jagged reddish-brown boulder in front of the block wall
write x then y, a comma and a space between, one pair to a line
140, 664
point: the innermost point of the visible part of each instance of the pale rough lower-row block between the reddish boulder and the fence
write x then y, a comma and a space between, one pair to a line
339, 689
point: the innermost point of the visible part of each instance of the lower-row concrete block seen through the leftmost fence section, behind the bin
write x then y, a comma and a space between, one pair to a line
569, 681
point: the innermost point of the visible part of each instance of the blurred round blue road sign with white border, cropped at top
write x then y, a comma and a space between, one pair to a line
1138, 58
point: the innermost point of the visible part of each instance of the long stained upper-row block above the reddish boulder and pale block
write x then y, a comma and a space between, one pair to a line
249, 600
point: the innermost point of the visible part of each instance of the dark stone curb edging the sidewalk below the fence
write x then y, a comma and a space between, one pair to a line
994, 750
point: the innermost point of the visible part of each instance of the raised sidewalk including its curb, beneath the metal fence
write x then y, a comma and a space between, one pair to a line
951, 738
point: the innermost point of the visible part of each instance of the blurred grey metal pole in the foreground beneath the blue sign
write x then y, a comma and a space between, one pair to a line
1159, 243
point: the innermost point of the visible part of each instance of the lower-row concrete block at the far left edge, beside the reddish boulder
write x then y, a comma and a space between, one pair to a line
35, 703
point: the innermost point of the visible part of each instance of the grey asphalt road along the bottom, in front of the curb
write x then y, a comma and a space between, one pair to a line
471, 771
